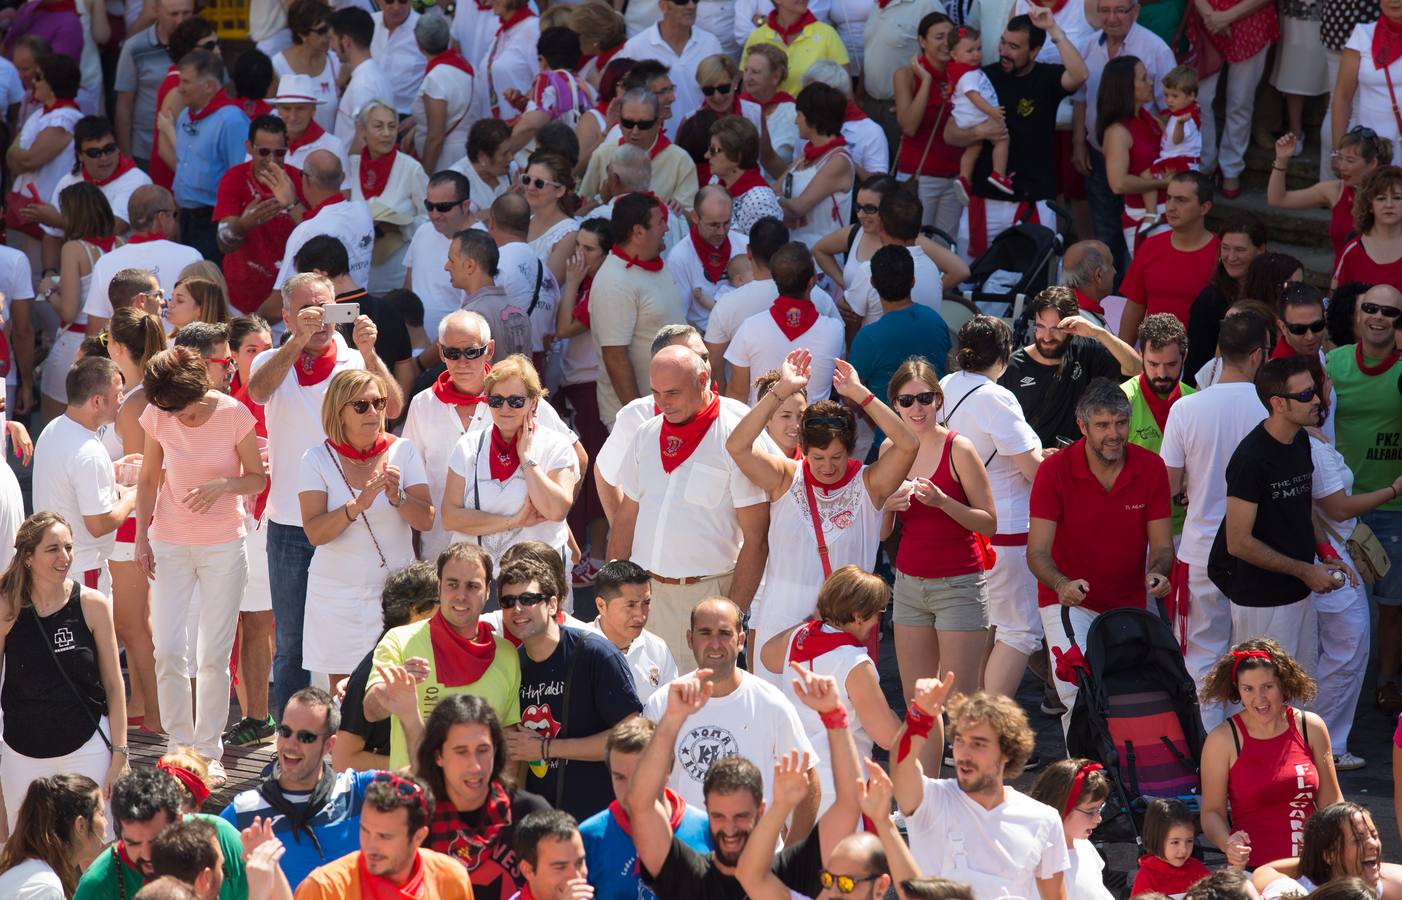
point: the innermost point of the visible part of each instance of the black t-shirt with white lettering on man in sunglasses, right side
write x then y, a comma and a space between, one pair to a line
1278, 480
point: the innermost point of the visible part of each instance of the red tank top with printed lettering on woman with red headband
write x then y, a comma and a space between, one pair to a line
1272, 790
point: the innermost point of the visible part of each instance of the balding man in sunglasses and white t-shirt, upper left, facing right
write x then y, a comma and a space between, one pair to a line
152, 247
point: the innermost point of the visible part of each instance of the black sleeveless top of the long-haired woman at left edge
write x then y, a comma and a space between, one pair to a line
44, 717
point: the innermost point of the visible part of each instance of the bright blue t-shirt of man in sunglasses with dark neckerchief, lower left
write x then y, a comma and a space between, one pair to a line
337, 825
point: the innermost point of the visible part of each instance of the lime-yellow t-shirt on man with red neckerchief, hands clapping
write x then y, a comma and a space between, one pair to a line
501, 685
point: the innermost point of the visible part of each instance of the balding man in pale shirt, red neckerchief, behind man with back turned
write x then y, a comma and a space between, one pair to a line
703, 264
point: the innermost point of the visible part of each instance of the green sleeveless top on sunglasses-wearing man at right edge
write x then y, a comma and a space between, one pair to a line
1369, 423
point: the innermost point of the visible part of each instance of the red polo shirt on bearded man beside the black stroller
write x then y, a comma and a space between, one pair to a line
1101, 536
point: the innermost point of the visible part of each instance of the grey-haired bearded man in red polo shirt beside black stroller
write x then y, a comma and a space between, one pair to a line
1098, 511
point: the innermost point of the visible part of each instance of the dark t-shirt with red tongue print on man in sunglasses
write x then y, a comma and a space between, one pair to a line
602, 696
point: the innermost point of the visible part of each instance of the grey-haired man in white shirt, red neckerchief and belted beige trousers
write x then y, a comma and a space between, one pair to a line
678, 479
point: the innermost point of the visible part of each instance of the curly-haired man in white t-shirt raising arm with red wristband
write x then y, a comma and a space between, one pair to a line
974, 828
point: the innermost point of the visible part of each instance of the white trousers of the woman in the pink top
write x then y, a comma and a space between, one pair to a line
221, 573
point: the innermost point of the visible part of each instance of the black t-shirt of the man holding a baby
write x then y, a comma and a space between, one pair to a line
1030, 106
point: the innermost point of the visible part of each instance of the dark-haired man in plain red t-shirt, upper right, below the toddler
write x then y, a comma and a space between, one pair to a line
1171, 270
